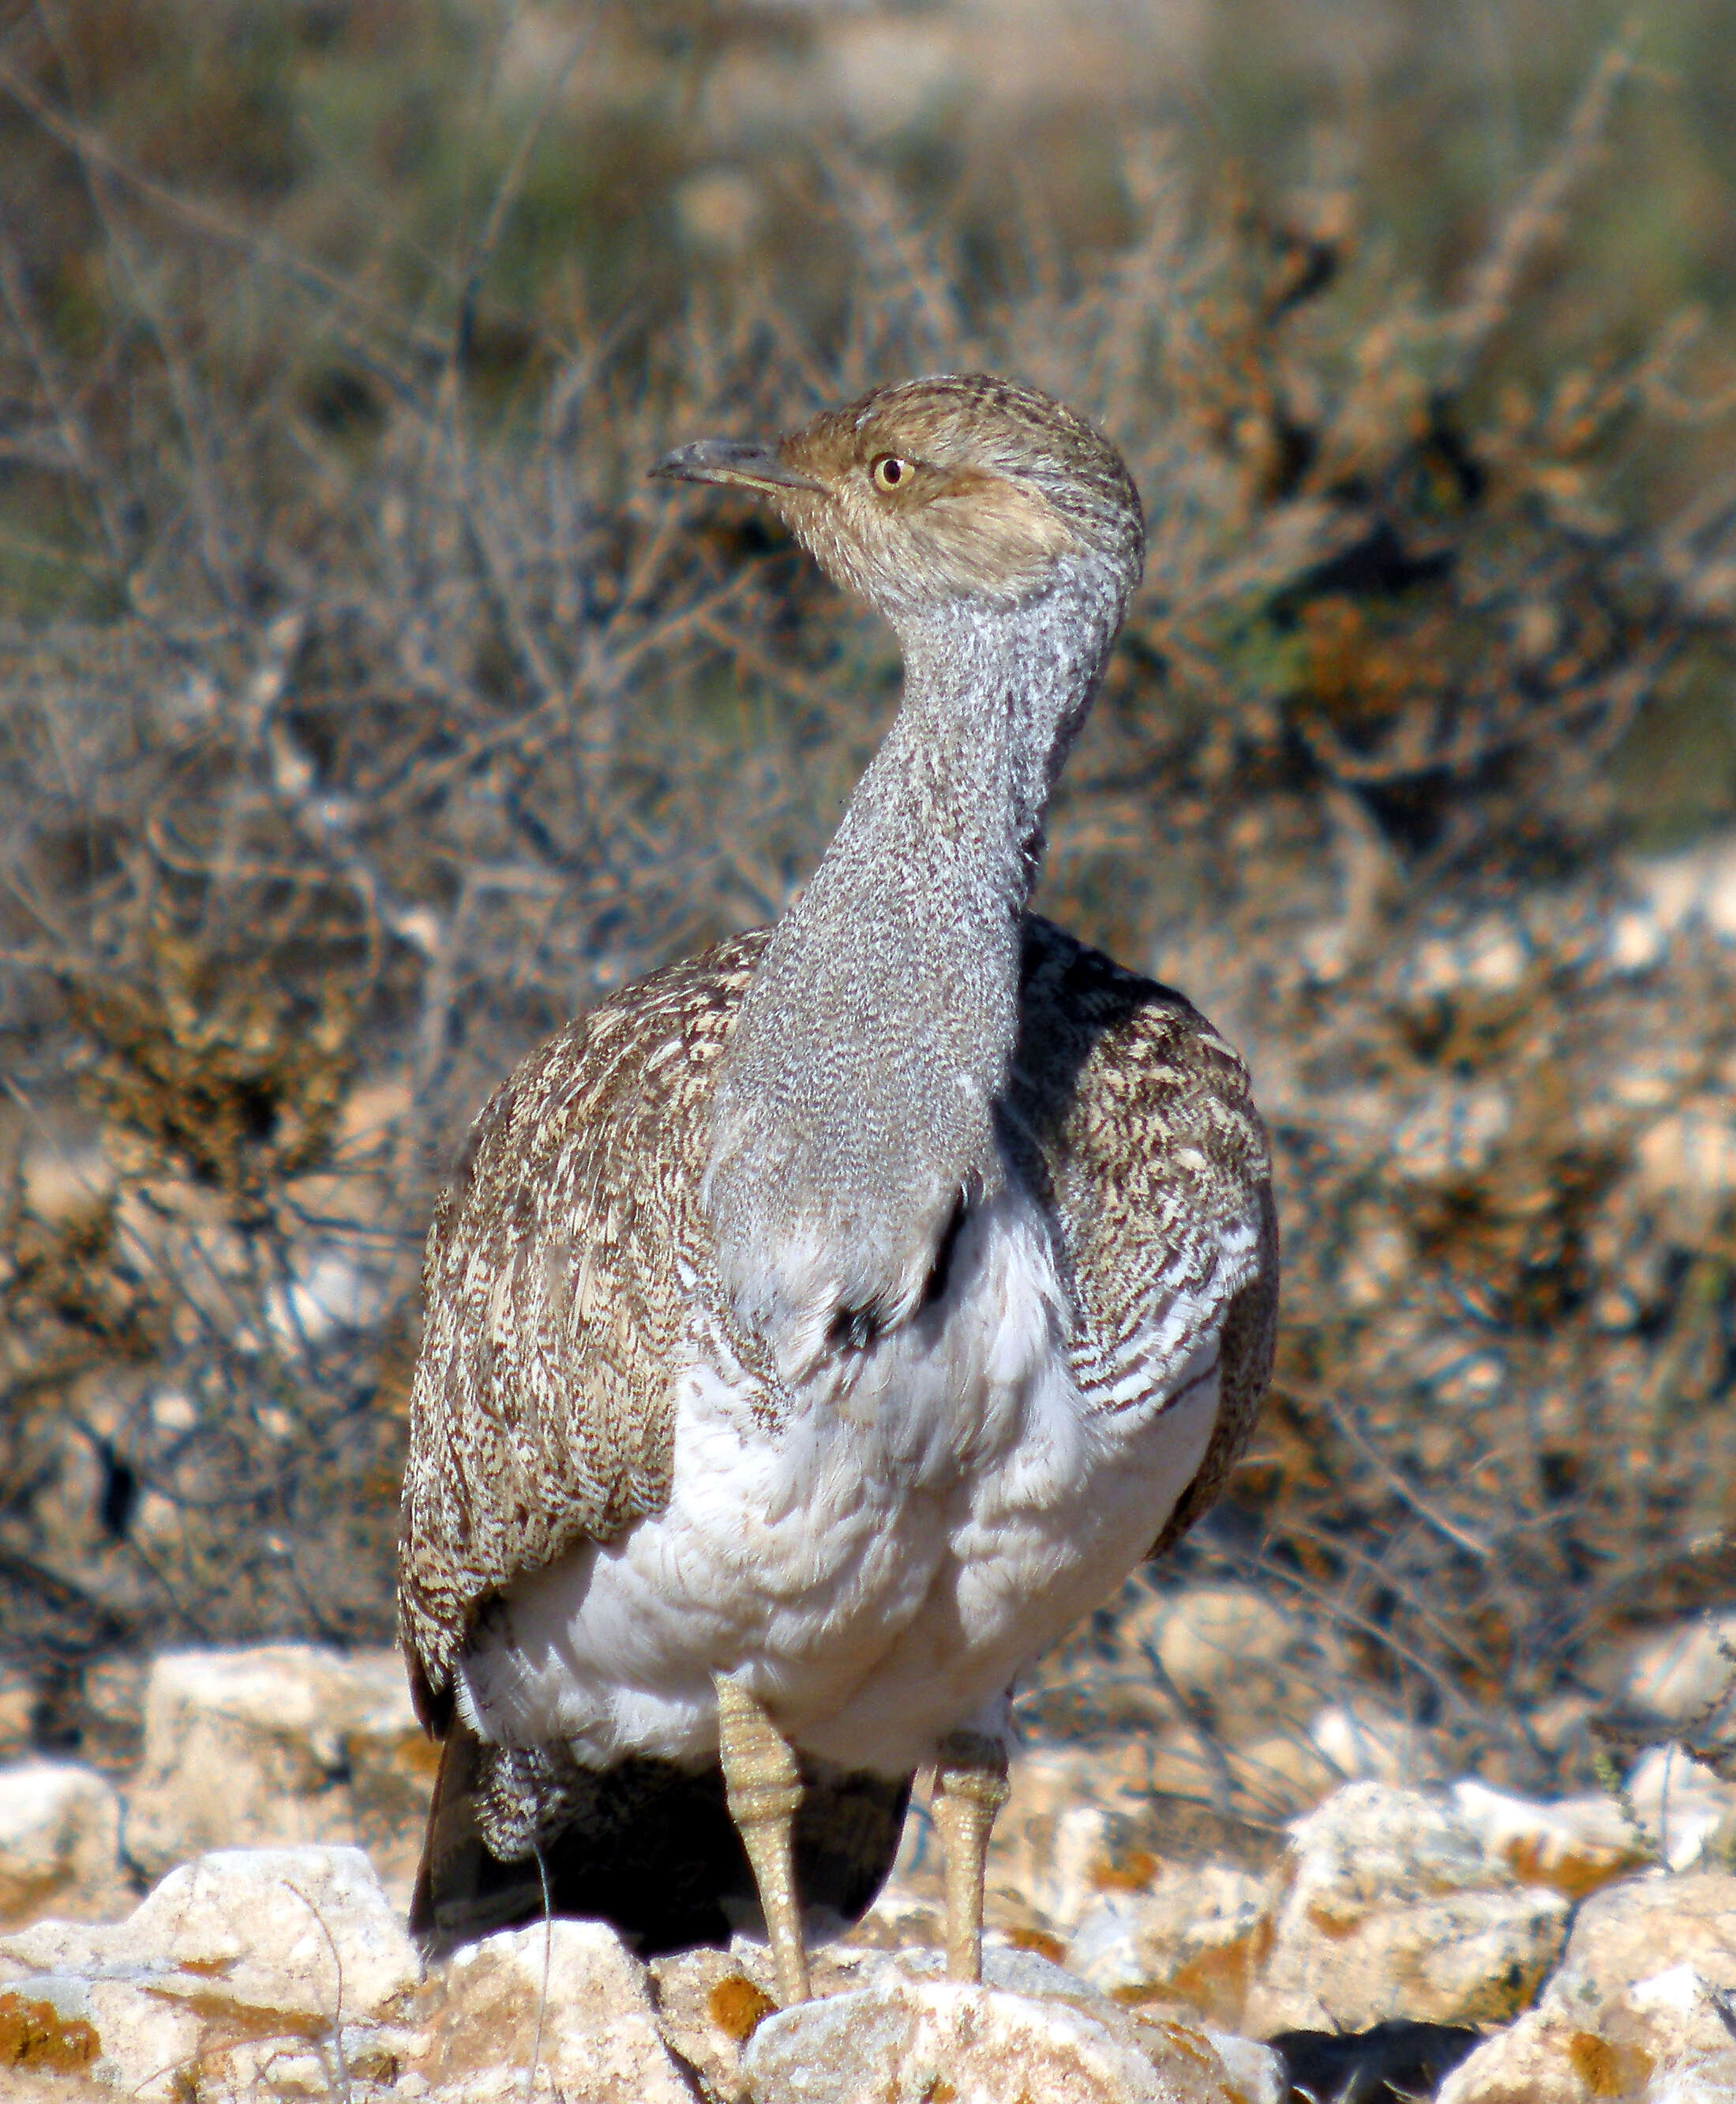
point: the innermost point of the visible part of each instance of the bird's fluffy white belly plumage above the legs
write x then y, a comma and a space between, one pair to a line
883, 1564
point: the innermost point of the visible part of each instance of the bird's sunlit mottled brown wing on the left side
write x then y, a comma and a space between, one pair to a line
557, 1287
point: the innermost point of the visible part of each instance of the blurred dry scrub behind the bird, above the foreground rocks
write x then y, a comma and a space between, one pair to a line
365, 716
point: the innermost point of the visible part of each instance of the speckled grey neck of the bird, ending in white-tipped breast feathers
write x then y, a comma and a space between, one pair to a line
855, 1106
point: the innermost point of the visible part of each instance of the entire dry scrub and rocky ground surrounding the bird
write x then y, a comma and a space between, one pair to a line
365, 714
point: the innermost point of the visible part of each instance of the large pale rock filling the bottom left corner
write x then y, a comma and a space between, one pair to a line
247, 1975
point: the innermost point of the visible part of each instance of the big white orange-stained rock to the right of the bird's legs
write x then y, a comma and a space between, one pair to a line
1392, 1907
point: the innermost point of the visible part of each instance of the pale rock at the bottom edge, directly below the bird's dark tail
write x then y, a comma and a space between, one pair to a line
571, 2000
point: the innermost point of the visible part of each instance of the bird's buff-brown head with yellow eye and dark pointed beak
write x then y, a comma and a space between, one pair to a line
944, 491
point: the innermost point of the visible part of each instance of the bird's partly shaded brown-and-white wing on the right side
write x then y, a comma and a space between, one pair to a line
1139, 1129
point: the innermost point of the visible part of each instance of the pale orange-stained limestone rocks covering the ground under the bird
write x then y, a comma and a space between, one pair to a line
224, 1920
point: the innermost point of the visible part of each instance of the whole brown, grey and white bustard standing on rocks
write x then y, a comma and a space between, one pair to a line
824, 1324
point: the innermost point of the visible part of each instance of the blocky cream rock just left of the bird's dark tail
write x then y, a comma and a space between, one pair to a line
281, 1745
